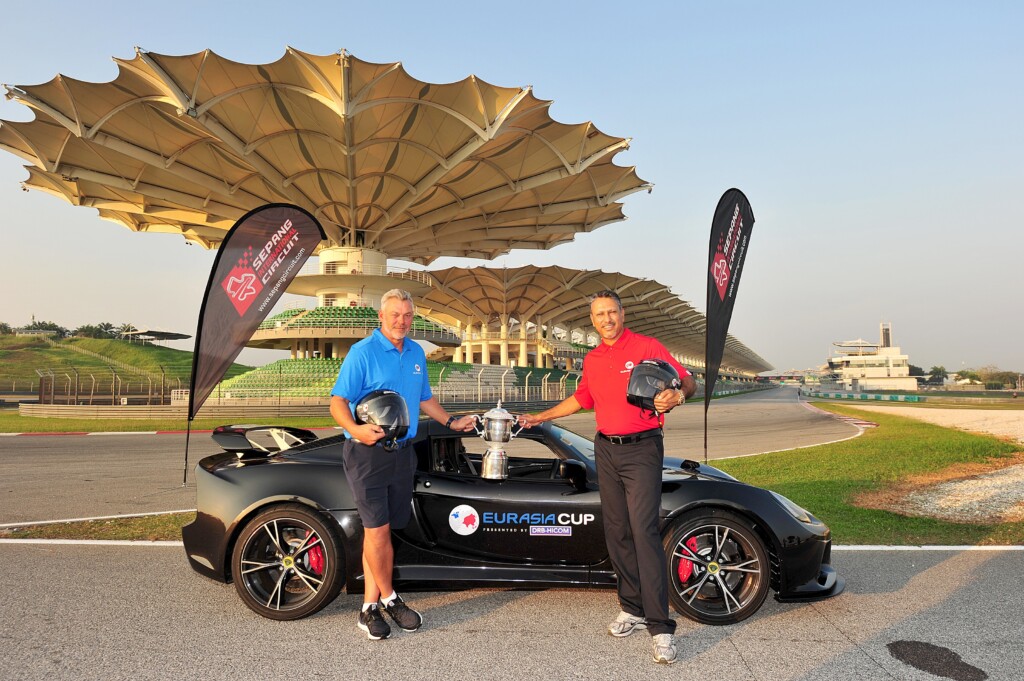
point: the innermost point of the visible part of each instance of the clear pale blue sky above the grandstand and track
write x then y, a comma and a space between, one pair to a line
880, 145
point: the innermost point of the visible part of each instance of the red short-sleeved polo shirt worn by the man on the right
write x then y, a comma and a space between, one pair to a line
607, 375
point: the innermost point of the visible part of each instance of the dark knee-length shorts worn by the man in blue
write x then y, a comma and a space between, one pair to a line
381, 483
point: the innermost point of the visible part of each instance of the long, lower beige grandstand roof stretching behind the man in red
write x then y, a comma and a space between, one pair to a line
562, 296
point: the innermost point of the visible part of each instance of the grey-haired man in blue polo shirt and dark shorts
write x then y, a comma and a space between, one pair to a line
382, 481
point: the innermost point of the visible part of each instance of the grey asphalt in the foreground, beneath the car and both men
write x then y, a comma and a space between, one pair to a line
141, 613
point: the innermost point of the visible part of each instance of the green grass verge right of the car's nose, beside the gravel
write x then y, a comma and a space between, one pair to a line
826, 480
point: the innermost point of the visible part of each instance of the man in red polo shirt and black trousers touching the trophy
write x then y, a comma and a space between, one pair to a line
630, 452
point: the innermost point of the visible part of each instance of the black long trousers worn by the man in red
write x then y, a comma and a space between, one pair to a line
630, 477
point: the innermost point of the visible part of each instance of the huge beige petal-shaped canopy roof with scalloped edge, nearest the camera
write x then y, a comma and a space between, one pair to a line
188, 145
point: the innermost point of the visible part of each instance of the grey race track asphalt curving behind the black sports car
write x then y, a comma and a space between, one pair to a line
75, 477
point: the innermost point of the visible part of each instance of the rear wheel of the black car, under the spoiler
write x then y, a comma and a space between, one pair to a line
288, 564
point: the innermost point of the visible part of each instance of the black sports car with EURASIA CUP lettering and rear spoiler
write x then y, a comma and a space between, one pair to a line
276, 517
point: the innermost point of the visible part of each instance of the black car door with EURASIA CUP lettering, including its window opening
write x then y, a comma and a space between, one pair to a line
534, 516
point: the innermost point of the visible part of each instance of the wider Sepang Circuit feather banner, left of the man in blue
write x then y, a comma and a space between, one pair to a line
260, 258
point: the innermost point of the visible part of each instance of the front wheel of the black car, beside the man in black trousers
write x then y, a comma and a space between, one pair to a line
718, 568
